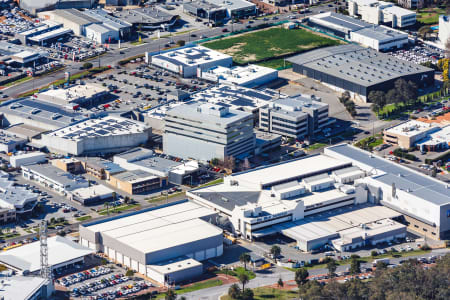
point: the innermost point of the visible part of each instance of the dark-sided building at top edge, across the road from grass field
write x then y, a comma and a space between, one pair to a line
205, 10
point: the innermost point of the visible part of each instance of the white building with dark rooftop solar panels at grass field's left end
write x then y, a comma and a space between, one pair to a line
187, 61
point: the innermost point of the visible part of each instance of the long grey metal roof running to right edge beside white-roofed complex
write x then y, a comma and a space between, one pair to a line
418, 184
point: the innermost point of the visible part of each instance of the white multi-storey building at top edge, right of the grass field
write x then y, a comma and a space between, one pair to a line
379, 12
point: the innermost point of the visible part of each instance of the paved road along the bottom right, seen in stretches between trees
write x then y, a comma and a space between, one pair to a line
271, 278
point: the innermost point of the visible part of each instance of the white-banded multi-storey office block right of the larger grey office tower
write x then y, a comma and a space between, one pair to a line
297, 117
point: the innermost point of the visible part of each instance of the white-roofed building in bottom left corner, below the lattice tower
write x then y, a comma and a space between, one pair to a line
26, 288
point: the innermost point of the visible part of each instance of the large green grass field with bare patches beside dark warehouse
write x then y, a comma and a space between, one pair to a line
273, 42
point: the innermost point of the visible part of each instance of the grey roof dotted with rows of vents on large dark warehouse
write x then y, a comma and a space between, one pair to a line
357, 64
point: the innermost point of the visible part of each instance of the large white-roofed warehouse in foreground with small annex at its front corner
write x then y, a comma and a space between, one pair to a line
164, 243
